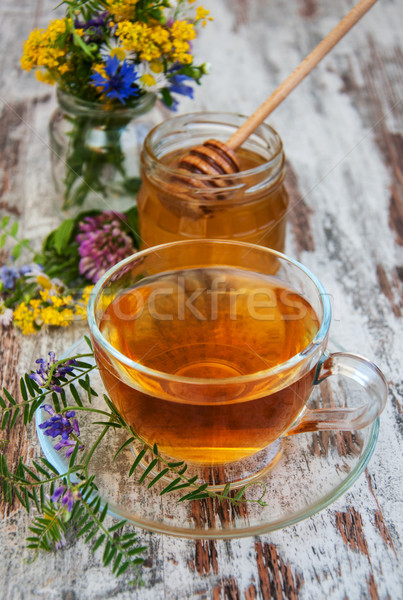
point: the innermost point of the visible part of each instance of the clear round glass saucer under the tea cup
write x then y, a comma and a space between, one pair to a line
312, 471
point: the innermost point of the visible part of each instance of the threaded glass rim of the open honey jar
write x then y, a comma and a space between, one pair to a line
196, 117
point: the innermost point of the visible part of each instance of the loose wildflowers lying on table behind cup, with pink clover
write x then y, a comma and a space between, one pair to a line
53, 287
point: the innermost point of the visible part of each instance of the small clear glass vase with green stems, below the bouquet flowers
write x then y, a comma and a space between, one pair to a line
95, 153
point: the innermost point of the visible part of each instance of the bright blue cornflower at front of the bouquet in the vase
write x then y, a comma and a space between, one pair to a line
118, 81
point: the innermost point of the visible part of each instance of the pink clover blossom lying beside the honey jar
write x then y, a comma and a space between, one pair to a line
102, 243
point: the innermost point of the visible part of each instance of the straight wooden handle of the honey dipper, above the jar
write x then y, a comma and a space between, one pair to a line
299, 73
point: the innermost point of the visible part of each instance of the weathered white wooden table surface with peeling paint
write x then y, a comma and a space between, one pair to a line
343, 136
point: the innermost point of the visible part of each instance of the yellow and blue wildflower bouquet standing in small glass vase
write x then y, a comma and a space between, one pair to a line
110, 59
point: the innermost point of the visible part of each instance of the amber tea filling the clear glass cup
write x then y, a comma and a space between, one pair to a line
208, 328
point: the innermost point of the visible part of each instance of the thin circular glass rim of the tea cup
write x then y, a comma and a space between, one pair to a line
303, 355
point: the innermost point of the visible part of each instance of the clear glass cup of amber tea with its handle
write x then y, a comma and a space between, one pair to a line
211, 349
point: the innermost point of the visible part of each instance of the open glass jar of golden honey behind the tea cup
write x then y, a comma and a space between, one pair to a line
248, 206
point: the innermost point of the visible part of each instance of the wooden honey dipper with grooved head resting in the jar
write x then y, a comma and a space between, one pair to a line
214, 157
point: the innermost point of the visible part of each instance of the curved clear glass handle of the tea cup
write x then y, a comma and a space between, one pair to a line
363, 372
